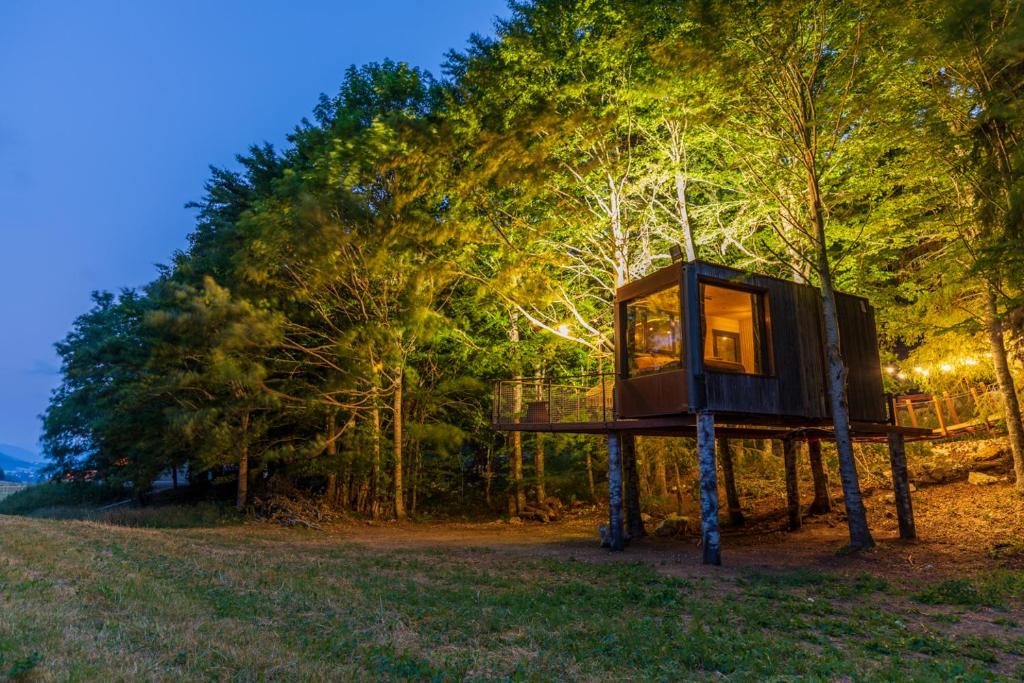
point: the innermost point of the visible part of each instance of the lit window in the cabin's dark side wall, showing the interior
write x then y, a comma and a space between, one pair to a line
734, 330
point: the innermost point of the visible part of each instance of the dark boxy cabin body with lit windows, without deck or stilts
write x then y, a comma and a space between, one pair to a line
700, 336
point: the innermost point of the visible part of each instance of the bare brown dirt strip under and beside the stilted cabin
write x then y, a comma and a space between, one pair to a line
963, 530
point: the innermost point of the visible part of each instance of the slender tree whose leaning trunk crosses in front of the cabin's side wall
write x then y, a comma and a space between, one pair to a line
813, 120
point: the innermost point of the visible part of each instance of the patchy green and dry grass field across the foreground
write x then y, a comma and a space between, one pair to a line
83, 601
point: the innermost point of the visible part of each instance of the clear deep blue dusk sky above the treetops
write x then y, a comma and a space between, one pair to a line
111, 114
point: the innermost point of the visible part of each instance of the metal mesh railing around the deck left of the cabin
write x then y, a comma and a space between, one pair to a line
558, 401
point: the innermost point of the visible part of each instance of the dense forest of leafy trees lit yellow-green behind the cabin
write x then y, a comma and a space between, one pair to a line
346, 303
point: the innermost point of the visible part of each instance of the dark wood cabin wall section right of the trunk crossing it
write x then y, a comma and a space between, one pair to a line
861, 352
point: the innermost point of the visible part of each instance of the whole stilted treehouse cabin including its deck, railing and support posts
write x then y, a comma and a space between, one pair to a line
701, 349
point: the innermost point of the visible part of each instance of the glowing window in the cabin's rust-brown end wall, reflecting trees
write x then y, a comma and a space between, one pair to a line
654, 333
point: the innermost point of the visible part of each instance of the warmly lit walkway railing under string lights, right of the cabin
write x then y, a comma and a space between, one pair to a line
978, 408
